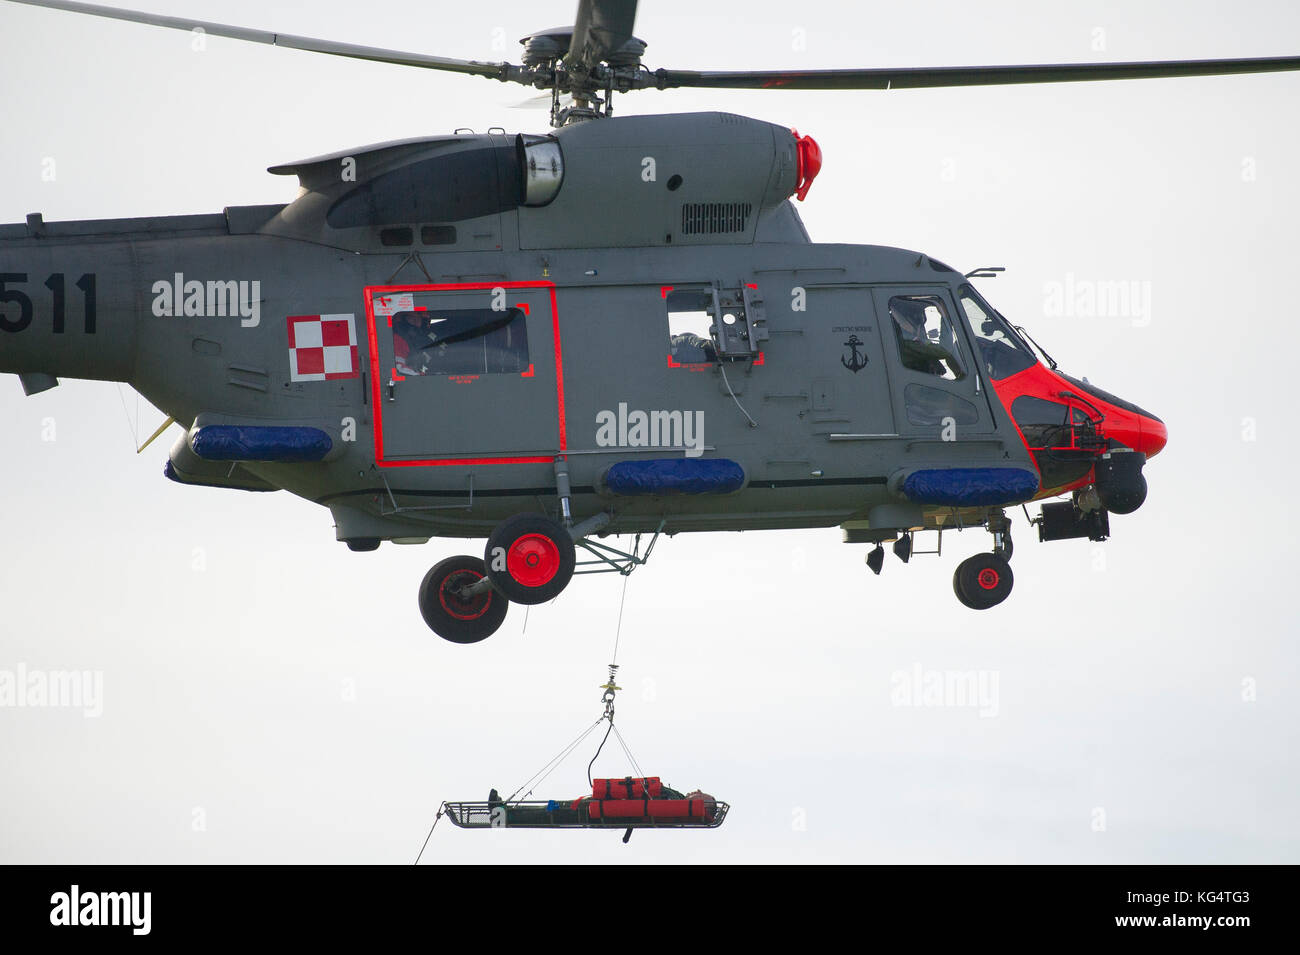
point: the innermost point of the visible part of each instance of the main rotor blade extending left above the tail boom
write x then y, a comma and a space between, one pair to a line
504, 72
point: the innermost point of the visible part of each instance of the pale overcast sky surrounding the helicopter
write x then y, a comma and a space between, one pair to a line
271, 697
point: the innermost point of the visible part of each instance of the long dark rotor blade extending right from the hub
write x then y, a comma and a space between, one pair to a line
913, 79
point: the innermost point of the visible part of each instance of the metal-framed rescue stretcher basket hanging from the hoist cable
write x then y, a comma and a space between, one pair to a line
590, 814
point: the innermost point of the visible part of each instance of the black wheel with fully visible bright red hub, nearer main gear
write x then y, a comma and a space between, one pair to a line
530, 558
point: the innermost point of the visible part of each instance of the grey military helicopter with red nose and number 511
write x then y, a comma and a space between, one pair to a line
419, 341
